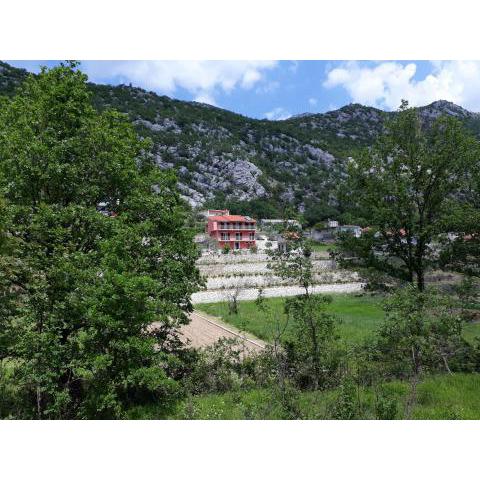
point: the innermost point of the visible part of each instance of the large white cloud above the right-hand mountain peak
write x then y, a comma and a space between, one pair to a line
384, 85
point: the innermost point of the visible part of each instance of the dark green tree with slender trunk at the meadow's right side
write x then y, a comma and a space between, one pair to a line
405, 188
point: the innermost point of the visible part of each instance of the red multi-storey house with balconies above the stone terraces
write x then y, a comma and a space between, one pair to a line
236, 231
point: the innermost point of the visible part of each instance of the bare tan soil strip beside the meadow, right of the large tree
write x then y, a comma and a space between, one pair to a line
204, 330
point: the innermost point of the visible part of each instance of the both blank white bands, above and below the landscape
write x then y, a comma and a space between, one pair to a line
234, 29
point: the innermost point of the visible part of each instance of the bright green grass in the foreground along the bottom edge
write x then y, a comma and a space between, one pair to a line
439, 397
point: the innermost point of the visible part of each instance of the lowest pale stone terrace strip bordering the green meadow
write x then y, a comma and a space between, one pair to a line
213, 296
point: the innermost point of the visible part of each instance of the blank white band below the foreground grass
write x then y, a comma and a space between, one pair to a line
238, 450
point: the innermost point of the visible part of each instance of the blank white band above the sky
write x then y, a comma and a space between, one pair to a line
240, 29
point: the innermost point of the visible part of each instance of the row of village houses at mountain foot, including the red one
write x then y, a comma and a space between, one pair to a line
227, 233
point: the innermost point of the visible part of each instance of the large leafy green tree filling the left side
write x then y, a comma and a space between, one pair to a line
99, 295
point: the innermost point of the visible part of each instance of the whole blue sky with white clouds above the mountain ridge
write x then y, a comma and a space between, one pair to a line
277, 90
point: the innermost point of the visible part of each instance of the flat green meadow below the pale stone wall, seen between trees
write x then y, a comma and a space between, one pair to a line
358, 316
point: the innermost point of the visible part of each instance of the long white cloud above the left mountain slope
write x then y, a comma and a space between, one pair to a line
201, 78
